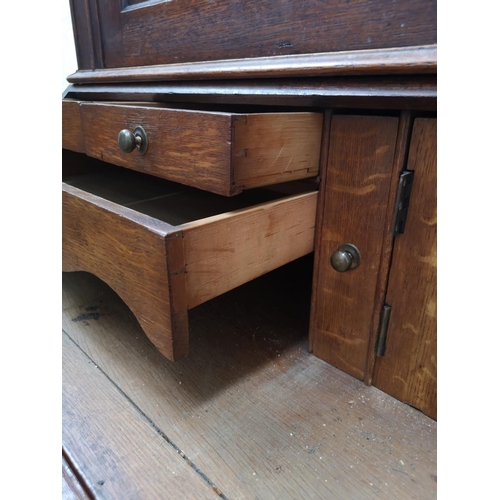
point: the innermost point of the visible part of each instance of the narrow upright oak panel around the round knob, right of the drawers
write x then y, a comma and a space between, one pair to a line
356, 190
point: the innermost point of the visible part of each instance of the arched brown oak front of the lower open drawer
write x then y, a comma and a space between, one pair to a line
128, 250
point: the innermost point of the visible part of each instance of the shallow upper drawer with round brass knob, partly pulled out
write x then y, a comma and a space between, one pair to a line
221, 152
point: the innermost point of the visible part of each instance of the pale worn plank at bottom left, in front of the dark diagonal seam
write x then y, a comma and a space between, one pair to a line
113, 444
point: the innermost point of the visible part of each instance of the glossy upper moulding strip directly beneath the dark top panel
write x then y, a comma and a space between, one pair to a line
405, 60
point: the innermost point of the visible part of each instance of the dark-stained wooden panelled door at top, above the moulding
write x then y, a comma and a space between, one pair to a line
124, 33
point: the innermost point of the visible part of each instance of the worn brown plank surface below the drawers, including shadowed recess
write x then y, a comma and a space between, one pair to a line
250, 414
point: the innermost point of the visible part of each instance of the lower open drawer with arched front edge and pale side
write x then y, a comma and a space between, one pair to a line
166, 248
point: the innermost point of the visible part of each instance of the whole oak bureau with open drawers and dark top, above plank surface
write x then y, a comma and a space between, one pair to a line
206, 143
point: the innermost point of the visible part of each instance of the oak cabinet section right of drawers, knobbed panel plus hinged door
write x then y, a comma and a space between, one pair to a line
378, 321
